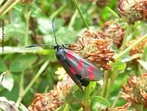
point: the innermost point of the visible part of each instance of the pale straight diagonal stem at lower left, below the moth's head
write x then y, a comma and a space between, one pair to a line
32, 82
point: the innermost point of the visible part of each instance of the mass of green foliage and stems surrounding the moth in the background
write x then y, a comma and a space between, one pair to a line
32, 70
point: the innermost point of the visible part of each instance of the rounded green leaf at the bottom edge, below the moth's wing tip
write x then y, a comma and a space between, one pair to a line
99, 102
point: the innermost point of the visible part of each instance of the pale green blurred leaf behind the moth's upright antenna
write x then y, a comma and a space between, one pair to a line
64, 35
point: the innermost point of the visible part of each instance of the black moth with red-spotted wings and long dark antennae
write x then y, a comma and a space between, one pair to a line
79, 69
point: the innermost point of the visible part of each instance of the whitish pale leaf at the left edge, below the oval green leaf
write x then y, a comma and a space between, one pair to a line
7, 80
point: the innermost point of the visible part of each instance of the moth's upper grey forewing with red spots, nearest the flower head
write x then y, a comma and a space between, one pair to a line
84, 68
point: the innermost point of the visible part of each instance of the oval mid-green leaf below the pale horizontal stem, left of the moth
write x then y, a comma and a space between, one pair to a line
22, 63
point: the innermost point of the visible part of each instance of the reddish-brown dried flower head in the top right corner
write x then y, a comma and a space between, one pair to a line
132, 10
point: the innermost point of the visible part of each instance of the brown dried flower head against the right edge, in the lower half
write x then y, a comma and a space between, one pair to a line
136, 90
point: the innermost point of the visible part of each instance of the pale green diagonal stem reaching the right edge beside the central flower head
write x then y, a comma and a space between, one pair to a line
131, 46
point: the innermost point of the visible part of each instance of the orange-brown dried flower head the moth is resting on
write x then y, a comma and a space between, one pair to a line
95, 49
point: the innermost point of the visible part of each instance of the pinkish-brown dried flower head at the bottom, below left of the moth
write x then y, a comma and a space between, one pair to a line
52, 100
